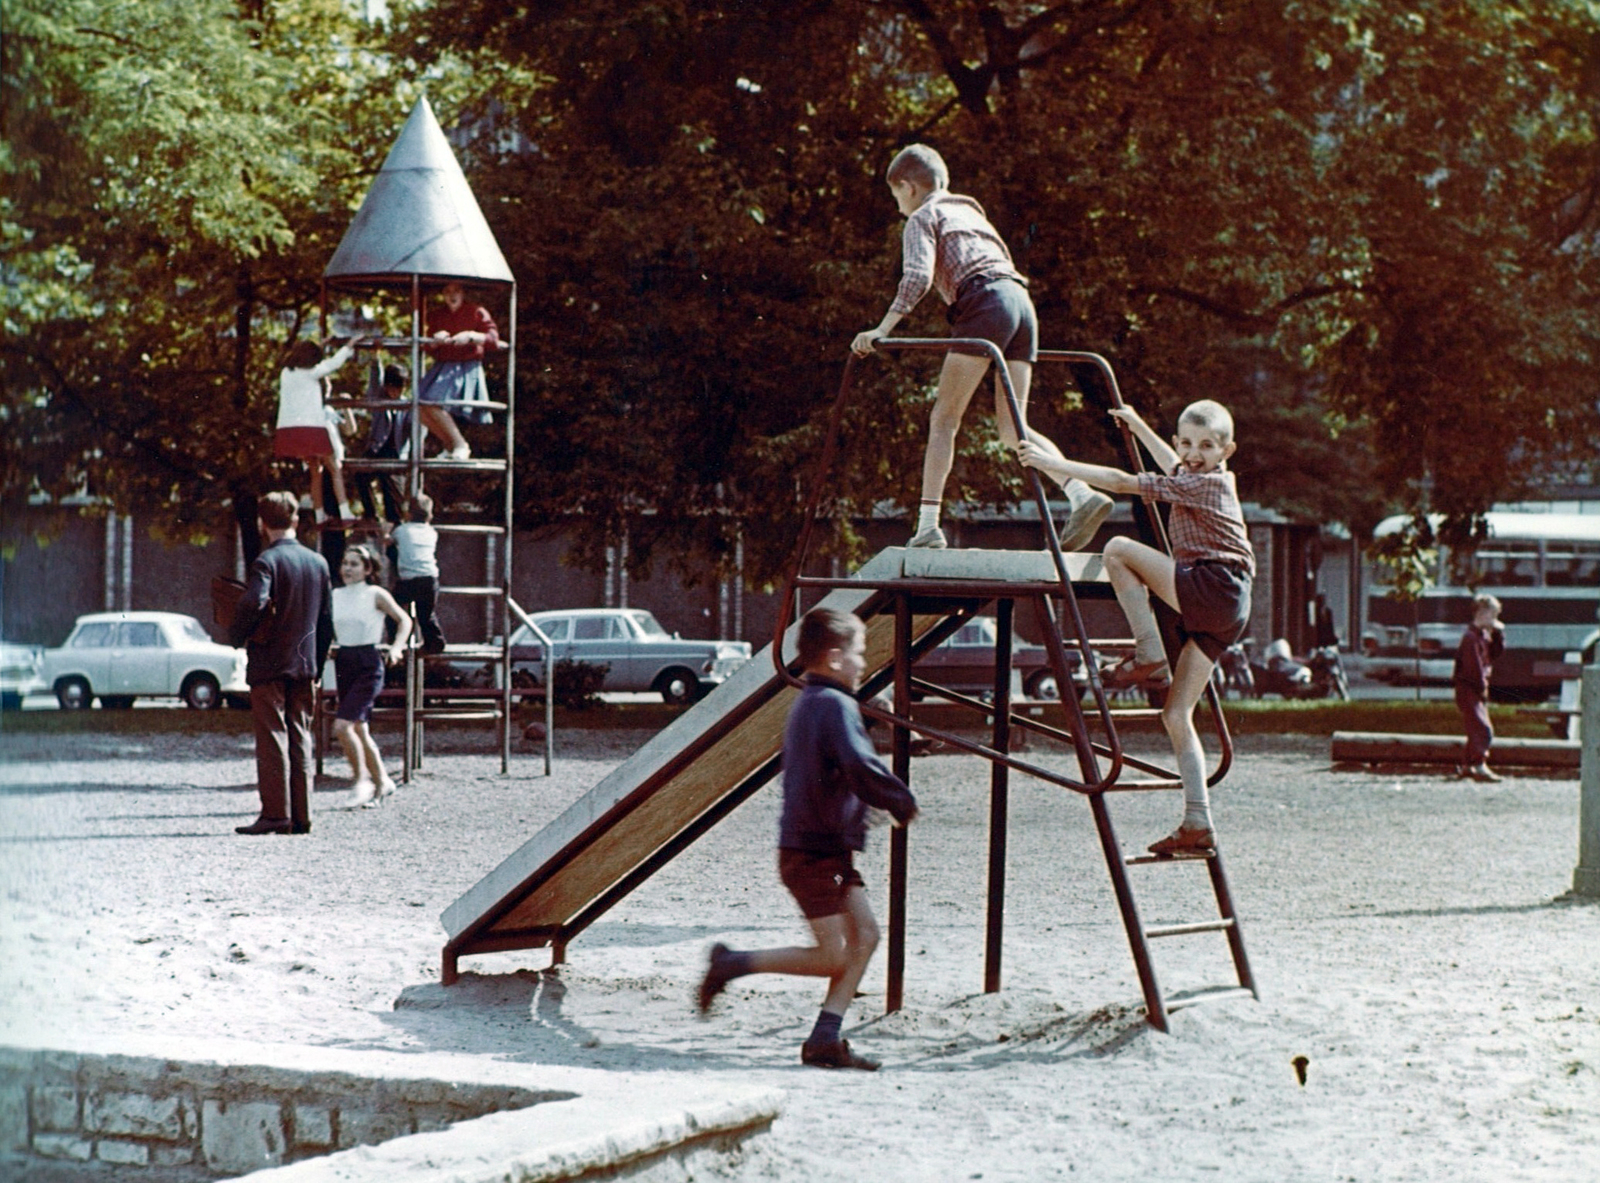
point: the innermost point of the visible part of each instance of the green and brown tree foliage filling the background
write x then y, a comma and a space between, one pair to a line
1374, 231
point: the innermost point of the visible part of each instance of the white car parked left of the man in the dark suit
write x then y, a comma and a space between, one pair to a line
124, 656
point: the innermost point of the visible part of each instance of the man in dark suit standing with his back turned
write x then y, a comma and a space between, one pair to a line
289, 587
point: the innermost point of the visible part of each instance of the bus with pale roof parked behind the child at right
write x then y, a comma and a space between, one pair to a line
1545, 569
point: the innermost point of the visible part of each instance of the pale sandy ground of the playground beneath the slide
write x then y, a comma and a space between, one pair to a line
1409, 936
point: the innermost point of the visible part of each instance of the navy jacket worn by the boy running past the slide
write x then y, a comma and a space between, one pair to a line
833, 774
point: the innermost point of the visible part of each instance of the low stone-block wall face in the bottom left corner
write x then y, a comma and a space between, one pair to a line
222, 1118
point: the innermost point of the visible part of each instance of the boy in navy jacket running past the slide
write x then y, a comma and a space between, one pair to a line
831, 777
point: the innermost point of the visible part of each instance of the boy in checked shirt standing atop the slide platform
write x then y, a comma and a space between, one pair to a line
951, 247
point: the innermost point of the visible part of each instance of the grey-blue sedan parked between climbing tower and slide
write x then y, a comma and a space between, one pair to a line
639, 654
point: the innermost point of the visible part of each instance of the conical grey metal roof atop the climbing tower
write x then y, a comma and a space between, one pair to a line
420, 217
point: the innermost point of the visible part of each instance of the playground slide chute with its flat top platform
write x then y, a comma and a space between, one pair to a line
690, 776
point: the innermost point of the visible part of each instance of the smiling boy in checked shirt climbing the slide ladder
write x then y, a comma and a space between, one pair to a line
1207, 580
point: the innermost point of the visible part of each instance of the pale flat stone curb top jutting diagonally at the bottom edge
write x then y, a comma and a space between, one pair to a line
545, 1144
